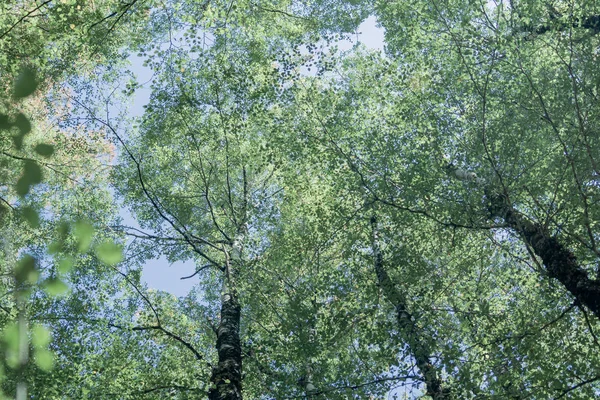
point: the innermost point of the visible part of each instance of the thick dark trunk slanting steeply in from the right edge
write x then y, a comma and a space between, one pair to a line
559, 261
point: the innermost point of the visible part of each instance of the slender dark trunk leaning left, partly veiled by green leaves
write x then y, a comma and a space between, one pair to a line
407, 327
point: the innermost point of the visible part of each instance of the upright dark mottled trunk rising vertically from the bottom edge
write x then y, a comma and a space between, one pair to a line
226, 379
